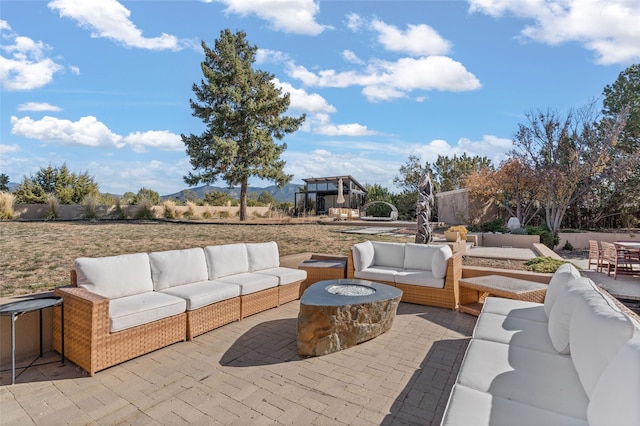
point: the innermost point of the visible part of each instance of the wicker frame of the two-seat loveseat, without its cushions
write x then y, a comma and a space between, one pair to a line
450, 296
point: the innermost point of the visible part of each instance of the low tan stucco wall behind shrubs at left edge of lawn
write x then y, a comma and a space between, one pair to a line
75, 212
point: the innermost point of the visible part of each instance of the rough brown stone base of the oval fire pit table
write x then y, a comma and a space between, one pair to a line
326, 329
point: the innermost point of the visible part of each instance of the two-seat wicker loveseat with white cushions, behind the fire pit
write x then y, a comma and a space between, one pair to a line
427, 274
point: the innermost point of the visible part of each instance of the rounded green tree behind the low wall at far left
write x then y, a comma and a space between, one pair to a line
65, 186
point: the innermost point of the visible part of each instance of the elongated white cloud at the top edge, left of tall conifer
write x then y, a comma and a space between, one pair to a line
110, 19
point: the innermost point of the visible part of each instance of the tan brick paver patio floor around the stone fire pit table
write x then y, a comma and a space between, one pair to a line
249, 373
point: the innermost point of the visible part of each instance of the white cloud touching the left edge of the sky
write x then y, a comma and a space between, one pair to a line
26, 66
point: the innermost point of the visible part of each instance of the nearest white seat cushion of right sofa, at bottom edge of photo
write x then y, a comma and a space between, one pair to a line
471, 407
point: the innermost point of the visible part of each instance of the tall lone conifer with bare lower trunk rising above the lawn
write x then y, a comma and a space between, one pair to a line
243, 113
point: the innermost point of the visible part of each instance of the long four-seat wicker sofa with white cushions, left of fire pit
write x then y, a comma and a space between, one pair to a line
121, 307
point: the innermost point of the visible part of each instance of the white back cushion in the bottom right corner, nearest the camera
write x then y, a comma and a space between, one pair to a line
616, 397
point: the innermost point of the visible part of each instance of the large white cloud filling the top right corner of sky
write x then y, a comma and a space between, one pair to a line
610, 29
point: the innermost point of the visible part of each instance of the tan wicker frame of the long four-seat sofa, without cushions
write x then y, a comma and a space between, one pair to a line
91, 345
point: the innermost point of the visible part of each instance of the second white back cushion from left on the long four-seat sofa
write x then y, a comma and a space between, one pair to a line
177, 267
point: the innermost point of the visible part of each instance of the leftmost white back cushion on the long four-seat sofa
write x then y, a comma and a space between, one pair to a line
115, 276
